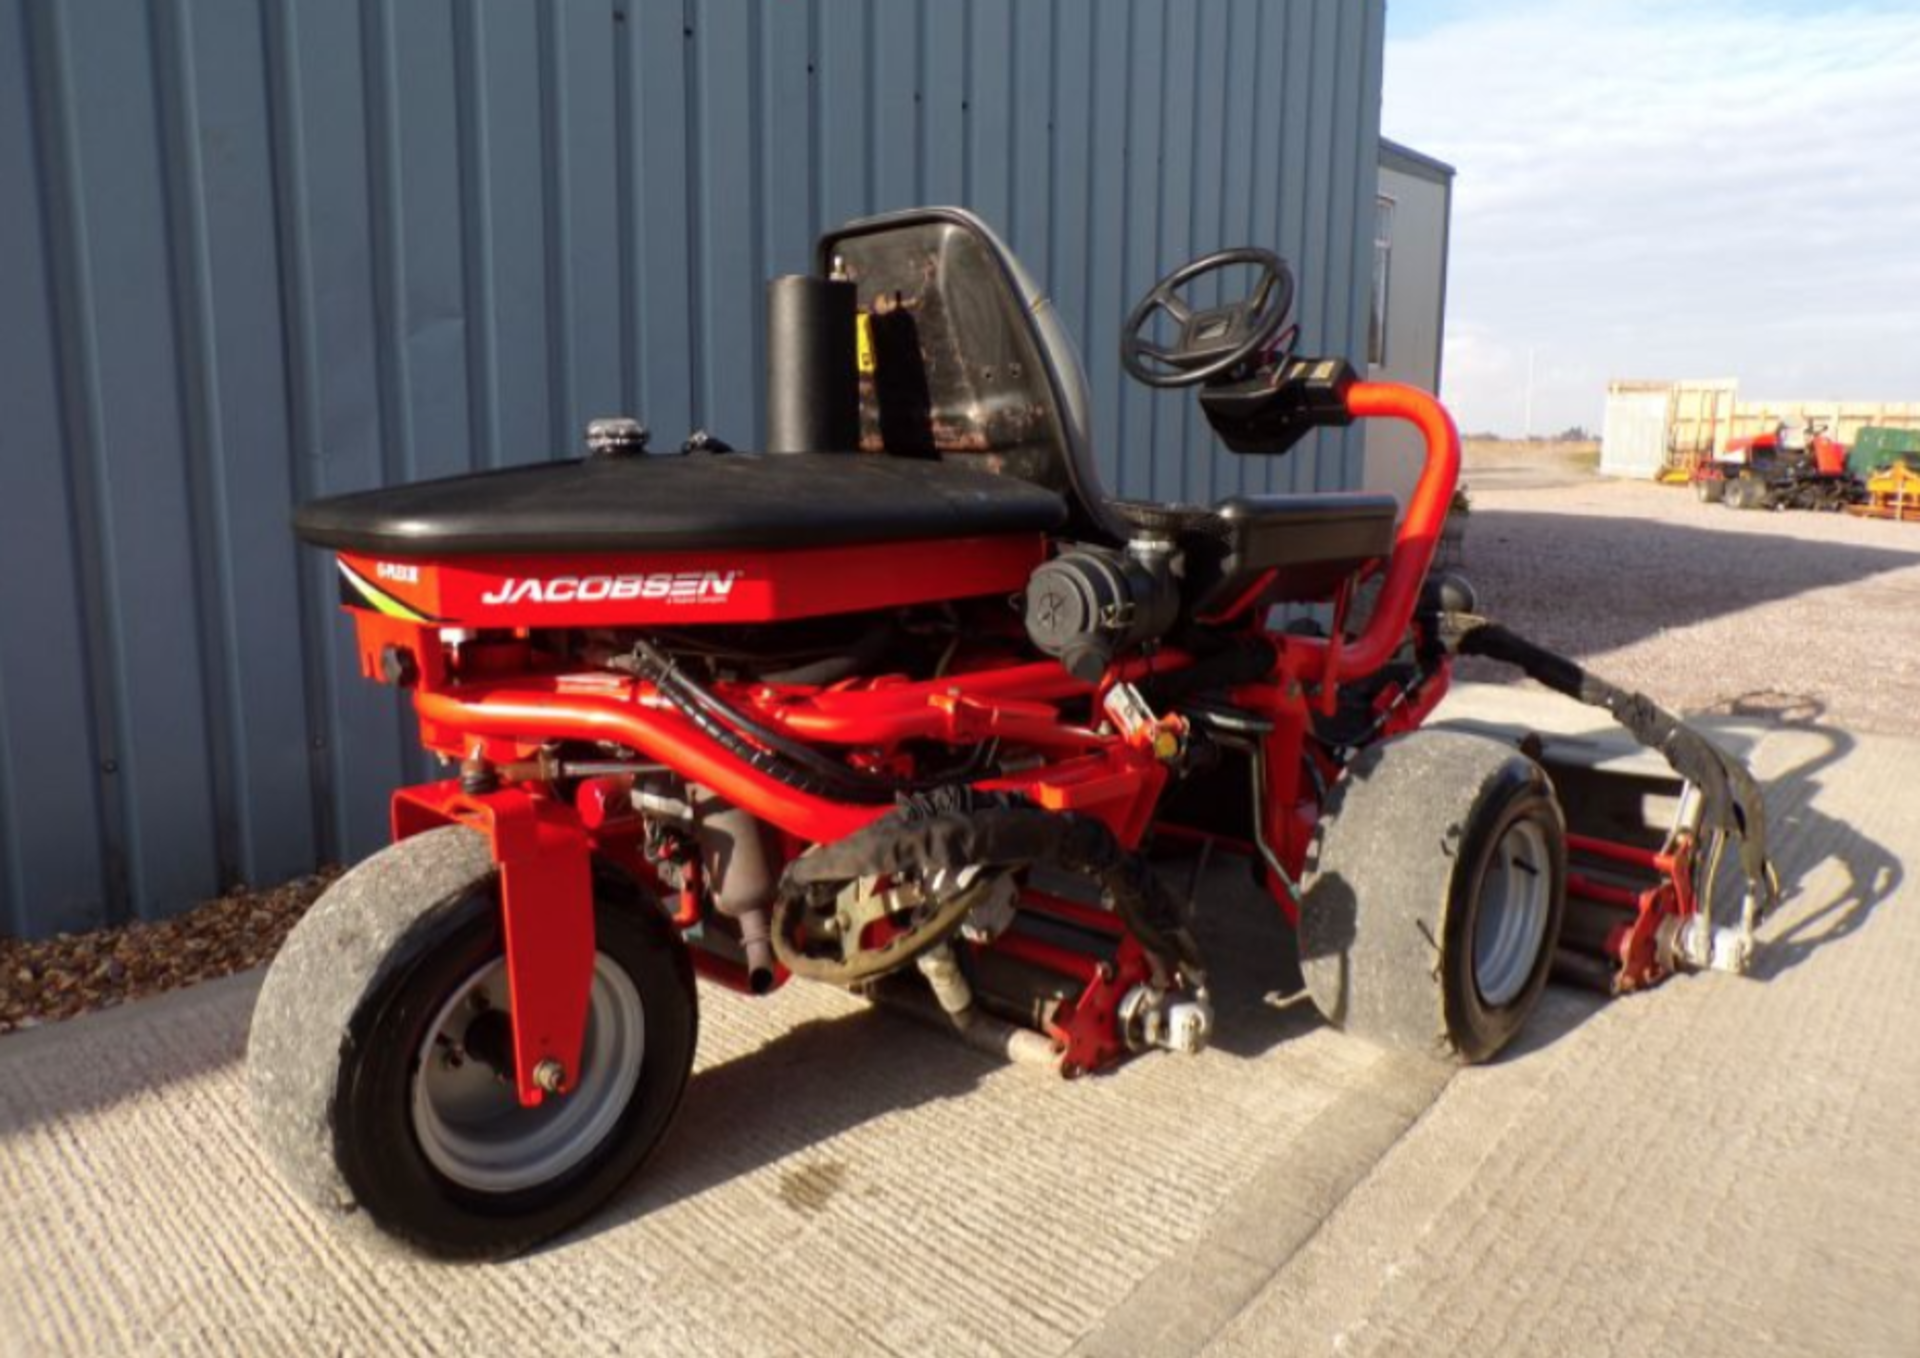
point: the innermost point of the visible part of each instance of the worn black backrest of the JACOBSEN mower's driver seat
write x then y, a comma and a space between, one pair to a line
971, 362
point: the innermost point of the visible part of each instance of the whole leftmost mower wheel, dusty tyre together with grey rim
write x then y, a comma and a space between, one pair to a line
368, 1057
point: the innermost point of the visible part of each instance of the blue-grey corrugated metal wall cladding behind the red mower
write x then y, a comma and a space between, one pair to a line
260, 251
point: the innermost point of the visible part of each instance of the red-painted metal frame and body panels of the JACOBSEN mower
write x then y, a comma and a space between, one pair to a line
492, 700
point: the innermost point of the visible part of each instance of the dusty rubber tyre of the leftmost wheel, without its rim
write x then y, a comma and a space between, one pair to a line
345, 1013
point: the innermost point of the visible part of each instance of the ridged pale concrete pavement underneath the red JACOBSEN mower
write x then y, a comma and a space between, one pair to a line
1719, 1167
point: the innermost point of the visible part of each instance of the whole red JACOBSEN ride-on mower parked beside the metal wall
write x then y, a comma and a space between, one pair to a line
907, 698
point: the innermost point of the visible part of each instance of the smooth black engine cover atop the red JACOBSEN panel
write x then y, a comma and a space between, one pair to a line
683, 504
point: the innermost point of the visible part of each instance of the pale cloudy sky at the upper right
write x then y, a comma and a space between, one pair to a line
1669, 191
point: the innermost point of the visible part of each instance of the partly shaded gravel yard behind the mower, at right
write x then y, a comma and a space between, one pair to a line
1700, 606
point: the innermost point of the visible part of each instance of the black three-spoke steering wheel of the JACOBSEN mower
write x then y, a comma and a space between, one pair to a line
1214, 341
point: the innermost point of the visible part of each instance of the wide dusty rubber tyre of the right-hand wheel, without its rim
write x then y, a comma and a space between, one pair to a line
1393, 892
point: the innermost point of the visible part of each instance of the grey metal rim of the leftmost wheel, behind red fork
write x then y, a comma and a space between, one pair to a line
471, 1125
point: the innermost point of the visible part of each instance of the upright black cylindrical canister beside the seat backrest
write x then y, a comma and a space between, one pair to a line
813, 381
